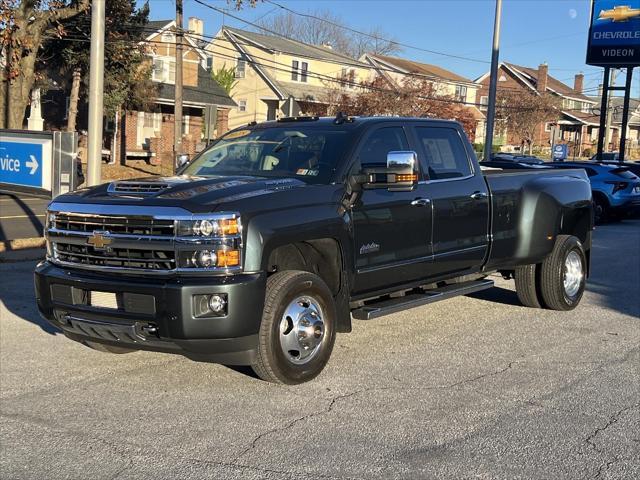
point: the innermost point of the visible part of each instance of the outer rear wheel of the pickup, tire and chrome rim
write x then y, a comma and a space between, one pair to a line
563, 274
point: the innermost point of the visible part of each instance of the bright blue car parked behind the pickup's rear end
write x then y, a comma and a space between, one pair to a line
616, 190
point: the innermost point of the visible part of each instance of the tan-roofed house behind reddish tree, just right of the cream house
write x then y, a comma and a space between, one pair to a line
445, 82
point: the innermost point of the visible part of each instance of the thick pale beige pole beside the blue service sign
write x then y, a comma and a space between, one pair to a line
96, 90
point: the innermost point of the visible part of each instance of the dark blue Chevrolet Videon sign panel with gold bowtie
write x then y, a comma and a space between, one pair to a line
614, 34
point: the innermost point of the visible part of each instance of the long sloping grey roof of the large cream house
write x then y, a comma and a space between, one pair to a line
293, 47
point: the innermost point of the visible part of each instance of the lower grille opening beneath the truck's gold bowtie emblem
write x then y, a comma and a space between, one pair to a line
115, 257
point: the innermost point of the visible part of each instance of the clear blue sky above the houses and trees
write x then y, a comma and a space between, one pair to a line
533, 31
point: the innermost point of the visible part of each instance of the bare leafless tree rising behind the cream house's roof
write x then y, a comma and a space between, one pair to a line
323, 27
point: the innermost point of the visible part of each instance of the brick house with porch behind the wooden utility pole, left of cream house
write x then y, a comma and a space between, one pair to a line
150, 134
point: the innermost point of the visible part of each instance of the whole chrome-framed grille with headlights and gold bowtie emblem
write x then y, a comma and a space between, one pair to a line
143, 239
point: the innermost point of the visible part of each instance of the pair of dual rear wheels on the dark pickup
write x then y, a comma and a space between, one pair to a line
558, 282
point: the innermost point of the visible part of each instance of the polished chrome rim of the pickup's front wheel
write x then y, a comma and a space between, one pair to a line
302, 330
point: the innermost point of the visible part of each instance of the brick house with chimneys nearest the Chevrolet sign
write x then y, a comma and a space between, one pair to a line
576, 124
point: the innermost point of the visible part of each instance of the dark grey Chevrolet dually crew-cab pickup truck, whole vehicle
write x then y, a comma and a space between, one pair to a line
278, 234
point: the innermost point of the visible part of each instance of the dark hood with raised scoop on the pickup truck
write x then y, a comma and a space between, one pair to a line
193, 193
